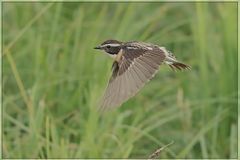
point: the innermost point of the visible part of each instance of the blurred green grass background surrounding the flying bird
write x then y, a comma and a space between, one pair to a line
53, 80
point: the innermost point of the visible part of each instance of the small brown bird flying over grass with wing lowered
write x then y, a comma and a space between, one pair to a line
135, 63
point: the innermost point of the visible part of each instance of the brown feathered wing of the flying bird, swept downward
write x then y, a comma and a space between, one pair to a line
135, 68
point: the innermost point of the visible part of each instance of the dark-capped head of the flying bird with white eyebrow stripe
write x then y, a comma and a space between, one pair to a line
110, 46
